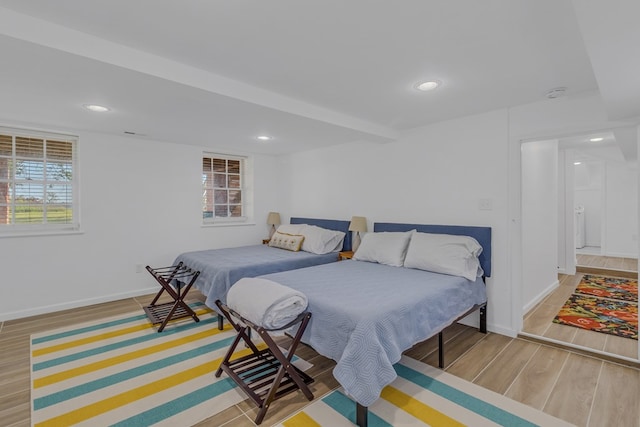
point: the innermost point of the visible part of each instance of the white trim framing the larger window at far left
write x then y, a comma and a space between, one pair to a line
26, 230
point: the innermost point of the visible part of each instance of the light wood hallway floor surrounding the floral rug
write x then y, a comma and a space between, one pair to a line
538, 321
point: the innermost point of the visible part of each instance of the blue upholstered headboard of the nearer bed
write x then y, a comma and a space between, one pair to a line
481, 234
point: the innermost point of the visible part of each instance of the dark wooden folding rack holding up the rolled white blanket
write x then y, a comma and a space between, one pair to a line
264, 375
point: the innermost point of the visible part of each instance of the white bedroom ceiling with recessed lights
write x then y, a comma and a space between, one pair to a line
311, 74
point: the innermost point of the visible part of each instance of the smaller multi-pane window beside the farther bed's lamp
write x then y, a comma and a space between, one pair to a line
223, 190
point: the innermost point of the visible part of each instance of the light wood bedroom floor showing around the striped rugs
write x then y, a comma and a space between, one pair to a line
583, 390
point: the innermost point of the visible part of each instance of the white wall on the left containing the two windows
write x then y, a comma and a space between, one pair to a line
140, 204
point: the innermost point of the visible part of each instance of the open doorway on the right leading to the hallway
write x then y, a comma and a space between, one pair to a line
558, 175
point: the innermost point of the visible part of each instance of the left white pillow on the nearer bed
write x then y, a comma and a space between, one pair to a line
385, 247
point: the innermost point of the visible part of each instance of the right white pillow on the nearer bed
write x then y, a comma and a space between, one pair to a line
445, 253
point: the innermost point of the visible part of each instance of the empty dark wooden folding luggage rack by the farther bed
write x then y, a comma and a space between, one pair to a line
176, 280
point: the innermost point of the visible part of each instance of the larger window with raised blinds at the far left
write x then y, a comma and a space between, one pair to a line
38, 188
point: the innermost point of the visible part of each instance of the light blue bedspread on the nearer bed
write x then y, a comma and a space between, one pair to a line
364, 315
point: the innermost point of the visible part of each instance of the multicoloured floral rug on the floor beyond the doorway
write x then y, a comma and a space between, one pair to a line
610, 311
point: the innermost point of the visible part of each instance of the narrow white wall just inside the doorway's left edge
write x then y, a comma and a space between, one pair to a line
539, 220
